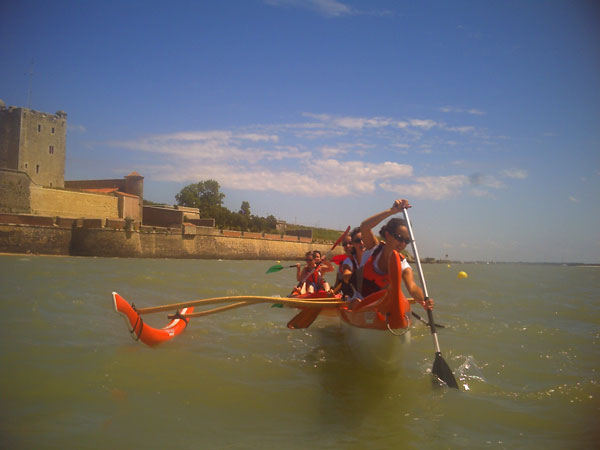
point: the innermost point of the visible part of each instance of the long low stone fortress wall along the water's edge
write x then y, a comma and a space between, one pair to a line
33, 234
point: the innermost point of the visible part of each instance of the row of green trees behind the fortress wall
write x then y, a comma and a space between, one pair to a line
208, 198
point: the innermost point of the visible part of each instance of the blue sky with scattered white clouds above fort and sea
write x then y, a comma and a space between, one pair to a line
485, 115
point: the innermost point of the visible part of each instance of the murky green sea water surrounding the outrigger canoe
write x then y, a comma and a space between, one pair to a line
523, 341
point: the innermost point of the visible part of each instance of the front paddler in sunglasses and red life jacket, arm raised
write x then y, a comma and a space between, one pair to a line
373, 272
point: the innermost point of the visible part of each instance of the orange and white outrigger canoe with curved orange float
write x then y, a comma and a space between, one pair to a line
377, 326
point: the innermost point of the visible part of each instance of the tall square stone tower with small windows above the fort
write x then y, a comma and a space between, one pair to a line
35, 143
